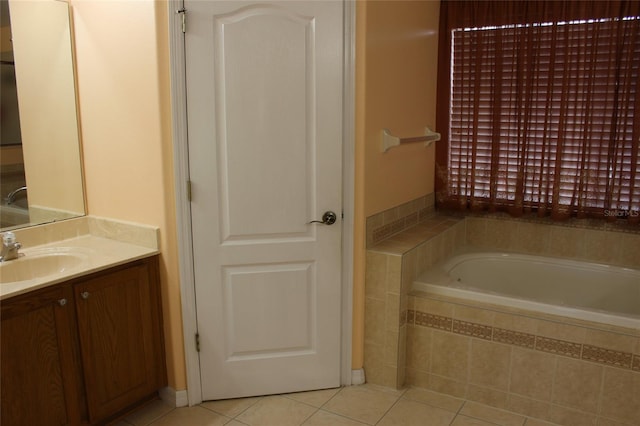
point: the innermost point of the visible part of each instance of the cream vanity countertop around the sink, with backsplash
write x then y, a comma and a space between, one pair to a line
97, 253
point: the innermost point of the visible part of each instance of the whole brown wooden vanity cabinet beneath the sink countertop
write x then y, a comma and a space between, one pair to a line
83, 351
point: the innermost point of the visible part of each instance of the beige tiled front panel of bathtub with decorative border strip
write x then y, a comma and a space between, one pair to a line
567, 372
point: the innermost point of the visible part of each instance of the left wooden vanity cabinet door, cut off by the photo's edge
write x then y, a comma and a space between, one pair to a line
38, 370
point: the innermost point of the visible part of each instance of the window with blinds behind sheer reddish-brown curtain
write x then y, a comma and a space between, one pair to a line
540, 108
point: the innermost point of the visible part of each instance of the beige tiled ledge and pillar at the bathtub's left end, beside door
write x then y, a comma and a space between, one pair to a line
392, 265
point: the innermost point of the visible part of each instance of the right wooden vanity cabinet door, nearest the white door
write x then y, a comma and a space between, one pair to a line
118, 323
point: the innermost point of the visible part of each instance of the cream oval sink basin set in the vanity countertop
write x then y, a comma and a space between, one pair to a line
41, 264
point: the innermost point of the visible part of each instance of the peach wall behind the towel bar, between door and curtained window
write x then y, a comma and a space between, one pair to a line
396, 71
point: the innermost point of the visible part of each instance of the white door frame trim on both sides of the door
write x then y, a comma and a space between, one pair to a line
183, 209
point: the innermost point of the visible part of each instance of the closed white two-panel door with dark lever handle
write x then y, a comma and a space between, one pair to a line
264, 100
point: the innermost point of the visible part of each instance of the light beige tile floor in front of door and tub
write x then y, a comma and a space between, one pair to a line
348, 406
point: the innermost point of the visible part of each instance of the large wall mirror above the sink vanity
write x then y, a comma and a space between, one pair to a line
40, 160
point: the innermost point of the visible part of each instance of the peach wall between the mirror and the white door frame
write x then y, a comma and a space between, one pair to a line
123, 82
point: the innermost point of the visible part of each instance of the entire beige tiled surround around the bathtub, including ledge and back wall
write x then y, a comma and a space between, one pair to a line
548, 367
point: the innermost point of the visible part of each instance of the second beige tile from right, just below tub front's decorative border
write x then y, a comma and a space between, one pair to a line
577, 384
